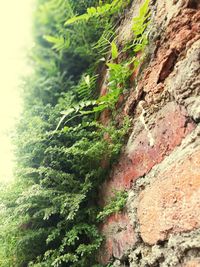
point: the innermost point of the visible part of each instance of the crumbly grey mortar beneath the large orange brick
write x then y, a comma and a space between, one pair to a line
178, 250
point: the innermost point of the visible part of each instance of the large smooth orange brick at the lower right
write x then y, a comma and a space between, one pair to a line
171, 204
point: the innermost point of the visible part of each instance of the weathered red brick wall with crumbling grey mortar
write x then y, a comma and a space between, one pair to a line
160, 165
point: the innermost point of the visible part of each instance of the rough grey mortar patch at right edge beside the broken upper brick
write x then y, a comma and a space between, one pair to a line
184, 82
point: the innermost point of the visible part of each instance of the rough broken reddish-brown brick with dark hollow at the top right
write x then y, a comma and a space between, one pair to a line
181, 33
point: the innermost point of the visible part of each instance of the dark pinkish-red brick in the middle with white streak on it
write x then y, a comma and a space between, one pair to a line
168, 131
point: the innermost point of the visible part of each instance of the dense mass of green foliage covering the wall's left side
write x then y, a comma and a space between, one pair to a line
50, 215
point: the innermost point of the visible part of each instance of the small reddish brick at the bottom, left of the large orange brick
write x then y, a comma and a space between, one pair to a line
120, 237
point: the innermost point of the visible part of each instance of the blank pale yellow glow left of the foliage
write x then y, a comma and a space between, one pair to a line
15, 41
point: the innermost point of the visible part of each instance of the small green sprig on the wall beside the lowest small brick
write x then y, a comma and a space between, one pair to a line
116, 204
